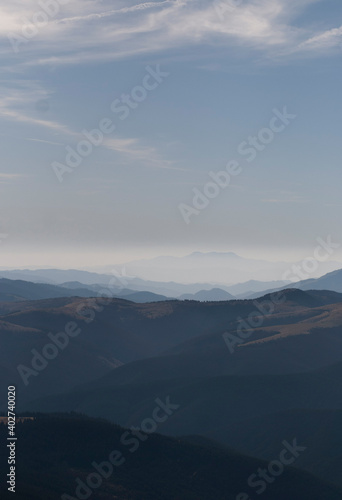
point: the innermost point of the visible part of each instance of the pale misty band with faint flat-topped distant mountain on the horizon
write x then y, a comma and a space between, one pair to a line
217, 268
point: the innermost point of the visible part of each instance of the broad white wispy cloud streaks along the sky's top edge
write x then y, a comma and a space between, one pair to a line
85, 31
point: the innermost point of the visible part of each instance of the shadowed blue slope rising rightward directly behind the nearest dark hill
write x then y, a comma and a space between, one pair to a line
250, 414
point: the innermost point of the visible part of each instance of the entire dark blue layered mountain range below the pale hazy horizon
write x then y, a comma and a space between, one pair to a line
247, 375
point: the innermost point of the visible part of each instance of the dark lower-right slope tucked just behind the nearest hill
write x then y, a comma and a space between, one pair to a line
320, 430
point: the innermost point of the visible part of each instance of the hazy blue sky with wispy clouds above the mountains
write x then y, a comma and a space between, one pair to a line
174, 92
